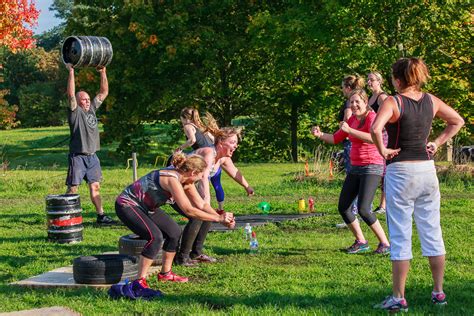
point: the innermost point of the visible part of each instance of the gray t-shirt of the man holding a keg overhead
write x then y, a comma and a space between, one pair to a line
84, 129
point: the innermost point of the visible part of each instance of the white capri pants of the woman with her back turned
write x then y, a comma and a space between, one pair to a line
412, 190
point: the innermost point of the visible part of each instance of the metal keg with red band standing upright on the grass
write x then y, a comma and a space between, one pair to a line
64, 218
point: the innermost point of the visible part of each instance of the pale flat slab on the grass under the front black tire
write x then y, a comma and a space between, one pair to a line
63, 277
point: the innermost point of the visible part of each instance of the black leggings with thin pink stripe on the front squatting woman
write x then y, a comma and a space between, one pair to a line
152, 227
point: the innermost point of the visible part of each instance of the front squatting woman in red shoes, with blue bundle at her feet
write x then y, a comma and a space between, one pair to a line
139, 208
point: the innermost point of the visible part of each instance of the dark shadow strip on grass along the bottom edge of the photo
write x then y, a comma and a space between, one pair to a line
361, 303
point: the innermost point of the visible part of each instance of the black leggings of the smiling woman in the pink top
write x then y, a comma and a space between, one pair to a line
363, 186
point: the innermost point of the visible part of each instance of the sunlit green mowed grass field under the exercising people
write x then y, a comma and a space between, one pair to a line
301, 268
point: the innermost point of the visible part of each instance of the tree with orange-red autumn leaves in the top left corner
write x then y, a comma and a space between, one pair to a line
14, 15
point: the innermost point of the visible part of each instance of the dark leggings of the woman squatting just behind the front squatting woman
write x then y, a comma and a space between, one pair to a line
194, 235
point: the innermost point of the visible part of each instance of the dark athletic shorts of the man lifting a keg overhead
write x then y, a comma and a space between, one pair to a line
83, 167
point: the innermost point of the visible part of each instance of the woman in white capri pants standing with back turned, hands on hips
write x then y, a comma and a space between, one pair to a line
411, 184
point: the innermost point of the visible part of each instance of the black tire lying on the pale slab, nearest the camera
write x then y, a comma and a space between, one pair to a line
104, 269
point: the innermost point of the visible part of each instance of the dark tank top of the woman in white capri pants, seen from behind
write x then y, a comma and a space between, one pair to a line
410, 133
